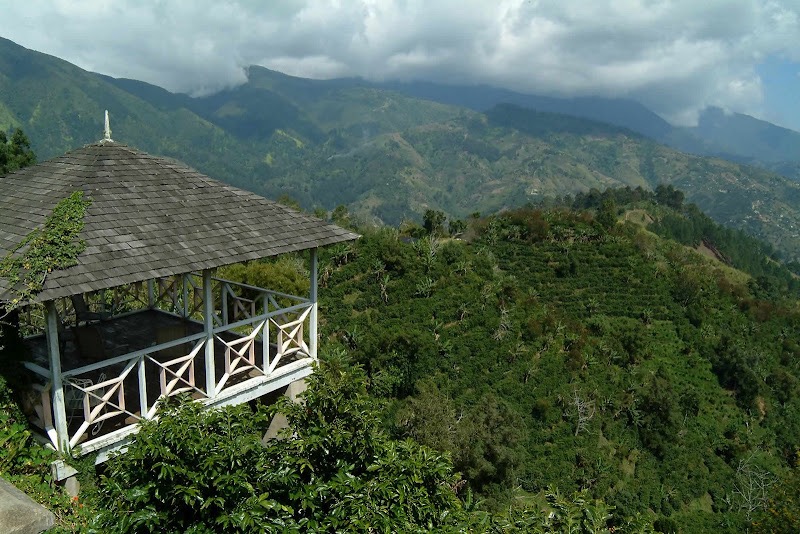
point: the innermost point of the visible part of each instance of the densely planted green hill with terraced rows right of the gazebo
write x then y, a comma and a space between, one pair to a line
547, 349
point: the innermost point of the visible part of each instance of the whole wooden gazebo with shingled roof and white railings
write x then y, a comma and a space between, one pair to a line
142, 315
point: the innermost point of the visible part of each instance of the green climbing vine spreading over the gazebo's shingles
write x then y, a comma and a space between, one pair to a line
52, 247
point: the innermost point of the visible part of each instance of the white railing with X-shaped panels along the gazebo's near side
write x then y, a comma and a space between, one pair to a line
115, 391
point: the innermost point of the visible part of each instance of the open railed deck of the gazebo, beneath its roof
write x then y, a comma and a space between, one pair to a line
131, 346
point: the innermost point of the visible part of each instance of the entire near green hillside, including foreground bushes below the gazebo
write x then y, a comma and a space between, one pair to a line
602, 364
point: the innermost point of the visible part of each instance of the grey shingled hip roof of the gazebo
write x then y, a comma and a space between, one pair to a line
149, 217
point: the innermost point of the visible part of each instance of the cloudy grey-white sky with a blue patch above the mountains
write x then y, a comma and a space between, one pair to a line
676, 56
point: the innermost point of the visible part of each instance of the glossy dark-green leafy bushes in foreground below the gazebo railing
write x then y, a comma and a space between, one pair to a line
196, 470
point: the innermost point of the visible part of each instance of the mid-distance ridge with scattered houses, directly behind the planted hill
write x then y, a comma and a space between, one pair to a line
510, 156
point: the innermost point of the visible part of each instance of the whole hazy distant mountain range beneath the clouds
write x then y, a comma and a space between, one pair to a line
389, 151
